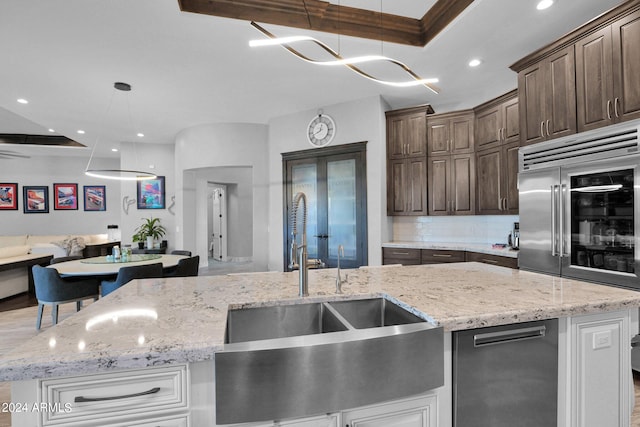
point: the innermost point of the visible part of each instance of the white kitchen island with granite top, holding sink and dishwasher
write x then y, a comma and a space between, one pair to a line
153, 324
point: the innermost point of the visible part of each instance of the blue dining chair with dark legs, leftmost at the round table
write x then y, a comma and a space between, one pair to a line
51, 289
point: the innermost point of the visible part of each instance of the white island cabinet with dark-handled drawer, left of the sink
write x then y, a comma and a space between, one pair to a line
128, 397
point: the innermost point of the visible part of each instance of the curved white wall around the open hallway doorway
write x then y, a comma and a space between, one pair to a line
220, 145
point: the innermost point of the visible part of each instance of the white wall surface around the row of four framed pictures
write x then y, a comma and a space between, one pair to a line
47, 171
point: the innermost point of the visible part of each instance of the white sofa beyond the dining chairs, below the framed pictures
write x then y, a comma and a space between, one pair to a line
19, 253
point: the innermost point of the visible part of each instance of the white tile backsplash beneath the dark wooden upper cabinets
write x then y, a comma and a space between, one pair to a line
468, 229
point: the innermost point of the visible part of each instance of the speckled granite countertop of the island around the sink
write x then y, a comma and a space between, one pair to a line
154, 322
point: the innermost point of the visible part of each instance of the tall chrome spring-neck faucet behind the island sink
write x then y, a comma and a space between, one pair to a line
298, 258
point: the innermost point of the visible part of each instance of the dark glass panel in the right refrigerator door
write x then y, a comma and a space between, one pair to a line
602, 229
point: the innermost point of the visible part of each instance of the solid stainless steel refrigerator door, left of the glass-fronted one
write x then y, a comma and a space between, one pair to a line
539, 233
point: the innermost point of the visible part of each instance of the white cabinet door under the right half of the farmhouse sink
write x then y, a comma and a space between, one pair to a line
413, 412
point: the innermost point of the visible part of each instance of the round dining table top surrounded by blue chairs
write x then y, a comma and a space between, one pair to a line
108, 266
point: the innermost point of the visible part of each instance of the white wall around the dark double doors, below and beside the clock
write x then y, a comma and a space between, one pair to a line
361, 120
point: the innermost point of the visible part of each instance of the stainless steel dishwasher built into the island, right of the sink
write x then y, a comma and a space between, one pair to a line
506, 376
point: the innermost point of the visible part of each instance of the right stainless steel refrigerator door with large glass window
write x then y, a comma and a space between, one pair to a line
571, 212
